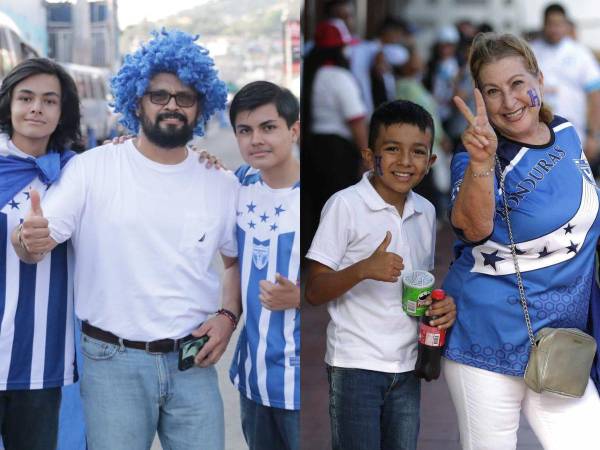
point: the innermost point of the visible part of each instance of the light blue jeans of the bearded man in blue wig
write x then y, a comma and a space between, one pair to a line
129, 395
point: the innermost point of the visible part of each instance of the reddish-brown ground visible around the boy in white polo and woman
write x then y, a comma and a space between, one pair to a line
439, 428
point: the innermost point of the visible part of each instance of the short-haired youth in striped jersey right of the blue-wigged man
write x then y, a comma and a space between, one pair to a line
266, 366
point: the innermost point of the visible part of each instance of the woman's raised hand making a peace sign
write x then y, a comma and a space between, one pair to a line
479, 138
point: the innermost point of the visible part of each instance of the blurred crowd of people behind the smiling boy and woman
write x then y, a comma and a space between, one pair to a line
346, 77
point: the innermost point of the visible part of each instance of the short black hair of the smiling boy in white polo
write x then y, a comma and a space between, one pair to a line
399, 112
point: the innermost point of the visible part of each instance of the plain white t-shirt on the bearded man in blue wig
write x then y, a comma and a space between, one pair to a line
145, 236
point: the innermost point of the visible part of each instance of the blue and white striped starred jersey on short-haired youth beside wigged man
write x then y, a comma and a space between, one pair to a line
266, 365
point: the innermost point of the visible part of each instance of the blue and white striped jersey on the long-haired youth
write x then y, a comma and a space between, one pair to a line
36, 310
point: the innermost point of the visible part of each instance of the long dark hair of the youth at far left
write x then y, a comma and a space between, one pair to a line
68, 129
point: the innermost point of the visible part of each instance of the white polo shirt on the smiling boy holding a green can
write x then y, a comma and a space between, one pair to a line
368, 328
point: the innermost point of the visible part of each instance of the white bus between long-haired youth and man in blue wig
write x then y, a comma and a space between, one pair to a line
98, 122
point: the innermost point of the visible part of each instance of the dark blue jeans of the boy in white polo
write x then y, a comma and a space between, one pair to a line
373, 410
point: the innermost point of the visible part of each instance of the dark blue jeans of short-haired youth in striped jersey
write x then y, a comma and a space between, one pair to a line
267, 428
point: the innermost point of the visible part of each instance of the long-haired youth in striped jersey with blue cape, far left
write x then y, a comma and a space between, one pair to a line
39, 114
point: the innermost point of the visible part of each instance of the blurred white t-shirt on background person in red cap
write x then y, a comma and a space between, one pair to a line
336, 100
